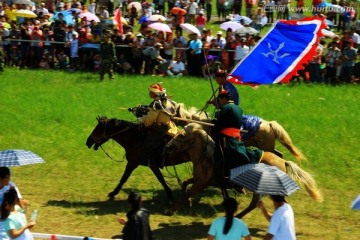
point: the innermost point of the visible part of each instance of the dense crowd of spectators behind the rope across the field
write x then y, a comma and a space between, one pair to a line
57, 44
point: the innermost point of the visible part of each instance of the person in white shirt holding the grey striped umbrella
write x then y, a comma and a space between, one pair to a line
282, 222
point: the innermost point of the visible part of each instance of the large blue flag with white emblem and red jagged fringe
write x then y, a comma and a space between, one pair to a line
280, 53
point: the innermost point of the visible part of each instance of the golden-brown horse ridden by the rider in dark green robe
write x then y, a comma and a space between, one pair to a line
197, 144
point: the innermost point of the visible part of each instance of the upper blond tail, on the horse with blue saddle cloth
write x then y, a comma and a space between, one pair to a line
285, 140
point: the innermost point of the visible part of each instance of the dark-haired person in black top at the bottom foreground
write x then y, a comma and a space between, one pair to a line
137, 226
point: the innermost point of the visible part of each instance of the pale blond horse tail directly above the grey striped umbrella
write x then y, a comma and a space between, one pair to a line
305, 179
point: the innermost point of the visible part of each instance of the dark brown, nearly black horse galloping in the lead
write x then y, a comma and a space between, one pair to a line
131, 137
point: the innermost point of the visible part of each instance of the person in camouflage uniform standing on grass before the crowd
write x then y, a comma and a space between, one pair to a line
108, 57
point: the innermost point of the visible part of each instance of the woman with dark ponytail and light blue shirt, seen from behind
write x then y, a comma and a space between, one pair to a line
228, 227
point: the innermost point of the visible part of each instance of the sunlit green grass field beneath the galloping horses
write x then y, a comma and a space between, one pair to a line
52, 113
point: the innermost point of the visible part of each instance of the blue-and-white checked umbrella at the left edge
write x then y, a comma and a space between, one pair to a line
10, 158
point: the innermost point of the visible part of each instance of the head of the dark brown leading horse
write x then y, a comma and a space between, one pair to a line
103, 131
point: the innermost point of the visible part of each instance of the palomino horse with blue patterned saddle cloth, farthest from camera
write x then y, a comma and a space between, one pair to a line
260, 133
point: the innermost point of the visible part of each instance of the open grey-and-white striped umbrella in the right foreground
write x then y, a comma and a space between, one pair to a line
263, 179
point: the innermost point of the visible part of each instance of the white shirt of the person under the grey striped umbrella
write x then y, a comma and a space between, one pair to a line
282, 223
